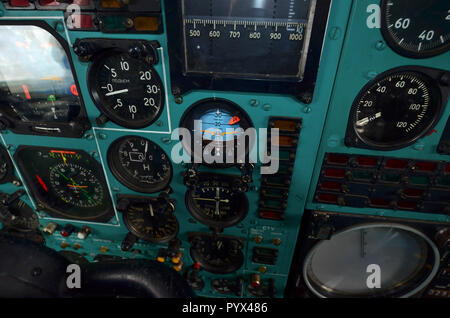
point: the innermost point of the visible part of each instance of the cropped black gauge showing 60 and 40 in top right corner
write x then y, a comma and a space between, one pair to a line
416, 28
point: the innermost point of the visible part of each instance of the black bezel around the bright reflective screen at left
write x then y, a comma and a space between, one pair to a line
73, 129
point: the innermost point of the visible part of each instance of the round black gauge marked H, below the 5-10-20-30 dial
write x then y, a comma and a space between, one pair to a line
140, 164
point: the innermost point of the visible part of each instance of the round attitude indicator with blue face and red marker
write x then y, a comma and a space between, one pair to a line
218, 126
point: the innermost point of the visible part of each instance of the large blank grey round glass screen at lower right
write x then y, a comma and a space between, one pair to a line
407, 259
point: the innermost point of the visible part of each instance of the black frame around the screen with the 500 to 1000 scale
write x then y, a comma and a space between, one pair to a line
183, 82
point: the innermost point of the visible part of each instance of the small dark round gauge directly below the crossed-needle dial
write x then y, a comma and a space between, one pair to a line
217, 254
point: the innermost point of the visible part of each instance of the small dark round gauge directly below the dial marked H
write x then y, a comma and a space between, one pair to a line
151, 221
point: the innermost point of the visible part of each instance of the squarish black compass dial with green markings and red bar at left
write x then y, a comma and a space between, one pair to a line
66, 183
